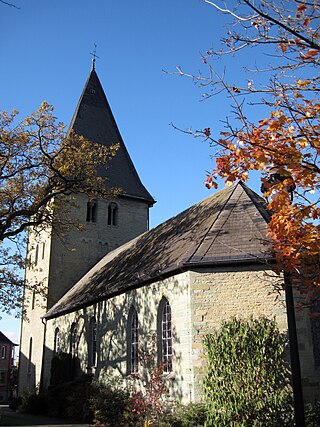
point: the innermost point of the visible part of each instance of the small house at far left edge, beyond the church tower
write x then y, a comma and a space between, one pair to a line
7, 368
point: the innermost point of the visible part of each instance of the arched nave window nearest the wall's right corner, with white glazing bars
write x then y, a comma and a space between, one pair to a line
165, 335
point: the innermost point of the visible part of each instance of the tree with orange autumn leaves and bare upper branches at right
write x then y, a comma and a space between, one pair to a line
284, 145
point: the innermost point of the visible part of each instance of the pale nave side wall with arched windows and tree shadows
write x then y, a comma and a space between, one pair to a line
112, 315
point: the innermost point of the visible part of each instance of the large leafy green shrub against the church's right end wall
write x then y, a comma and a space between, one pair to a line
247, 381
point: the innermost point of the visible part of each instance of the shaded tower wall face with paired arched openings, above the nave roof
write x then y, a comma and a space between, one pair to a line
79, 250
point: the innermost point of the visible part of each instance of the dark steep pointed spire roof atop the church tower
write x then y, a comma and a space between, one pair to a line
94, 120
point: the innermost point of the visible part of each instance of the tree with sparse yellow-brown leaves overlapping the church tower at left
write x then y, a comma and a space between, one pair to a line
40, 165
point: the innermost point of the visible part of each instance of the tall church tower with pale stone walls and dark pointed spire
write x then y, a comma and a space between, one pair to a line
58, 262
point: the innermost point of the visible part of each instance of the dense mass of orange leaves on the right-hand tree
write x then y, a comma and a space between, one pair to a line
287, 142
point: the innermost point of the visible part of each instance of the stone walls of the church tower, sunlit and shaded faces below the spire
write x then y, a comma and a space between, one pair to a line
58, 260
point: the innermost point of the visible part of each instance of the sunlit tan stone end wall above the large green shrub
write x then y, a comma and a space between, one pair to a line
222, 293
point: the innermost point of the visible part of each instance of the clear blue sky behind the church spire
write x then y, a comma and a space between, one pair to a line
45, 50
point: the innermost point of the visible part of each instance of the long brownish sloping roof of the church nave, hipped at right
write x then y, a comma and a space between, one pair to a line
228, 227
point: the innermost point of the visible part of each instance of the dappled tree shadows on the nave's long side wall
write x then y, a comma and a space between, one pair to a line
97, 343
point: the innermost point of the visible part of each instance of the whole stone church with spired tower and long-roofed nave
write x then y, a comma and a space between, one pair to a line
115, 286
